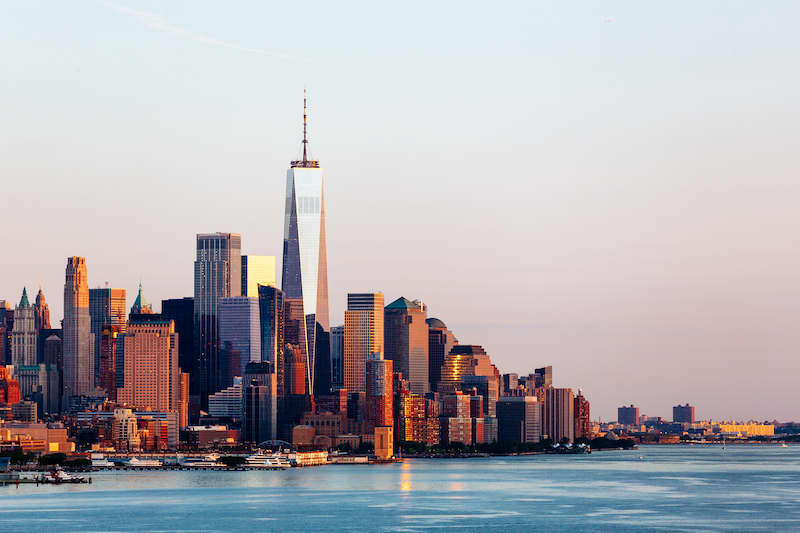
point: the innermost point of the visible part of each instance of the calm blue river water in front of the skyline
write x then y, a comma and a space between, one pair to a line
655, 488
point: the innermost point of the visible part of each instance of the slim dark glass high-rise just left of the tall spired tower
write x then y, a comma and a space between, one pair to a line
273, 342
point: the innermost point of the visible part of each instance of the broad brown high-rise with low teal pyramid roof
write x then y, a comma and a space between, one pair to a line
406, 342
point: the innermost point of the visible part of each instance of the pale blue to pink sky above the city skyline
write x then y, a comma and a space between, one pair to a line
612, 188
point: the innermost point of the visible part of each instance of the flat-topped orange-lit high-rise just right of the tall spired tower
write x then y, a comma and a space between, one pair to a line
363, 336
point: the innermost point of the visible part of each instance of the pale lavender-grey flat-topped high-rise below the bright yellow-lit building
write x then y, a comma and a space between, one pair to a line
239, 336
